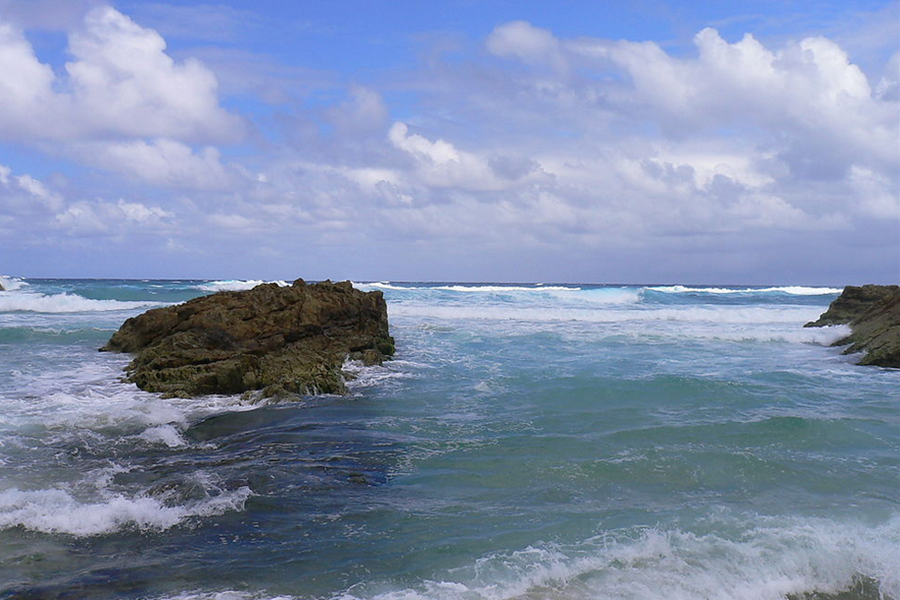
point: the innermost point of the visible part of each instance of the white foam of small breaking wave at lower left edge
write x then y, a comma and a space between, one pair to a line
57, 511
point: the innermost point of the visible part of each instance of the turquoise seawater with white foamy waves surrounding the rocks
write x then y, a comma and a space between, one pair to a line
528, 441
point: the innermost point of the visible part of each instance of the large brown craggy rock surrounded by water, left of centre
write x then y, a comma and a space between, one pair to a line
277, 340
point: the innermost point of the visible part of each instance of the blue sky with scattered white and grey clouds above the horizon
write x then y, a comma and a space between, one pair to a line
452, 140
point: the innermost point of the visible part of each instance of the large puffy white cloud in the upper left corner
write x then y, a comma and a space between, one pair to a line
120, 83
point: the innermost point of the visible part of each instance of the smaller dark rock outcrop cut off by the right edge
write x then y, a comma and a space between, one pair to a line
873, 313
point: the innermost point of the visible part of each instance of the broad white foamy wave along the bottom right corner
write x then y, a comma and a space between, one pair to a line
766, 562
